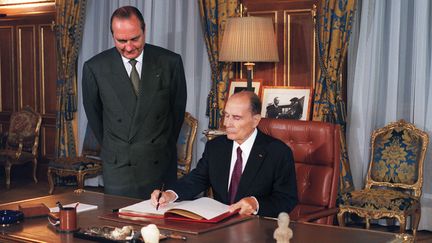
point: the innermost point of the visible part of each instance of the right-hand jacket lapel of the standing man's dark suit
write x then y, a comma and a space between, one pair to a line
150, 80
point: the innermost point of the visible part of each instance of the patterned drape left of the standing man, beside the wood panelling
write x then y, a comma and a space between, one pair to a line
69, 25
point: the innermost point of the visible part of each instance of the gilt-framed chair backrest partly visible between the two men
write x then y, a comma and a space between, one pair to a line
185, 144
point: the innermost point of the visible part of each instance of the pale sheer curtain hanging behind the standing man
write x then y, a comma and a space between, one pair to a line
172, 24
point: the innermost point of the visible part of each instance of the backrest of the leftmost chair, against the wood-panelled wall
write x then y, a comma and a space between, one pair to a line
24, 128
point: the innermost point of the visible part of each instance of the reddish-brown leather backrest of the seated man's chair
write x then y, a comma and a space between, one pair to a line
316, 149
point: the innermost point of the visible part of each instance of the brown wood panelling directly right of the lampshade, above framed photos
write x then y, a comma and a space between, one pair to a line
294, 28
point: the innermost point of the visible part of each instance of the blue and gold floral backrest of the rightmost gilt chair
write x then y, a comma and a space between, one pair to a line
398, 151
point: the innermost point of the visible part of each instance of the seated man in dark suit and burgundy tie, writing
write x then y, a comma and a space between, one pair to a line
265, 182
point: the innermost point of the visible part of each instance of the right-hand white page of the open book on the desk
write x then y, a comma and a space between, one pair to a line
205, 207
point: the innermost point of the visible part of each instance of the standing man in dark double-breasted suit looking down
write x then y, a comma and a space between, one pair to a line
134, 96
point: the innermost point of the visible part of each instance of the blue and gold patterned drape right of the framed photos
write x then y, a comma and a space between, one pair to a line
334, 22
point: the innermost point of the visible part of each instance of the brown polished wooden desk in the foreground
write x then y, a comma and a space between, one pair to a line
255, 230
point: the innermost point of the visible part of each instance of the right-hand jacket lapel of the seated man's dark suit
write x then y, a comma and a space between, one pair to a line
254, 163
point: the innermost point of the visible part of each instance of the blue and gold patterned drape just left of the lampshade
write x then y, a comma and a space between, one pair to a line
214, 14
